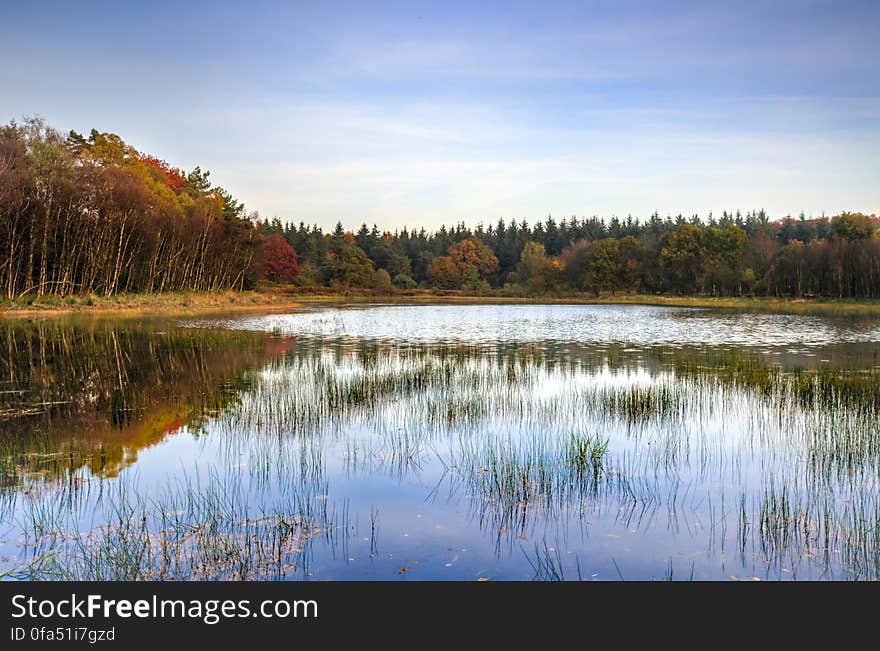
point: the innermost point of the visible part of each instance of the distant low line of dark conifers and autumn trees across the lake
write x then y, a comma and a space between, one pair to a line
731, 255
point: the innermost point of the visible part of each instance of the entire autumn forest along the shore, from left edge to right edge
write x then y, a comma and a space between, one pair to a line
92, 215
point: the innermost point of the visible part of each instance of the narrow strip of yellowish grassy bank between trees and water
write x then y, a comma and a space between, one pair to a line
191, 303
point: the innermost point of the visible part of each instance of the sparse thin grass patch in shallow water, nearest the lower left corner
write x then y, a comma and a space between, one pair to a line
192, 530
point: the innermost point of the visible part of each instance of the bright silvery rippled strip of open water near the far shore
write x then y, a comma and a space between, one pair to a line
637, 324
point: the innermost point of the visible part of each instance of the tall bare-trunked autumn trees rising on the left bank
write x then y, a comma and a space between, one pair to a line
93, 215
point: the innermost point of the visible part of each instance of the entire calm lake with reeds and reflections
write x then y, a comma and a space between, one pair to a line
442, 442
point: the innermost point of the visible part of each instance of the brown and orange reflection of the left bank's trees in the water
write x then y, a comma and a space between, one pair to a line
76, 394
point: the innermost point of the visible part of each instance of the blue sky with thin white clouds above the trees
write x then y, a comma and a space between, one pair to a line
416, 114
